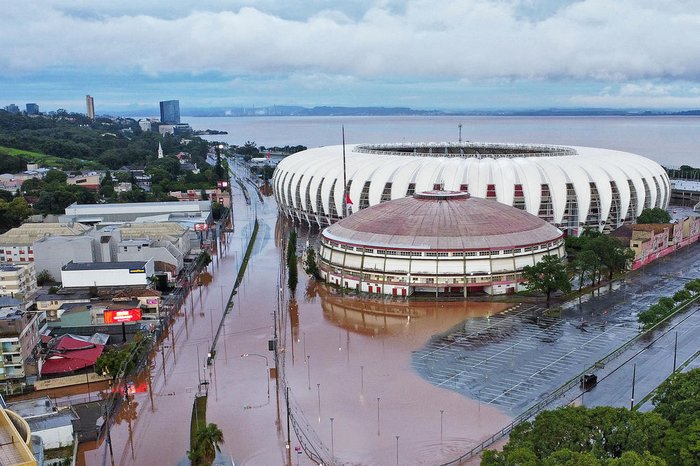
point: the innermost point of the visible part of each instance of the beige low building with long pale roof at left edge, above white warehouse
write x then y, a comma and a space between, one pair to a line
16, 245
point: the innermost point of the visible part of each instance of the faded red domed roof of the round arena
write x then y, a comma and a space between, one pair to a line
442, 220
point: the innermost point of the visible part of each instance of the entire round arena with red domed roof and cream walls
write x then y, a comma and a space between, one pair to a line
439, 242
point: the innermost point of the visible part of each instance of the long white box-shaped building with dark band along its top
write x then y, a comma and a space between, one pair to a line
103, 274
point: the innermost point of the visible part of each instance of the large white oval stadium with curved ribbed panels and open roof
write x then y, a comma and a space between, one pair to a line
570, 187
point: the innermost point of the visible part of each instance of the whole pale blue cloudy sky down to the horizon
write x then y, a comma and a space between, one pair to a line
423, 54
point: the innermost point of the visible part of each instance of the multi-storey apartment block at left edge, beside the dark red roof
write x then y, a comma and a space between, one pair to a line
19, 335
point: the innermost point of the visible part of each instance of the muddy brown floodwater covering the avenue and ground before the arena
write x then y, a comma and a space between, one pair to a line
344, 358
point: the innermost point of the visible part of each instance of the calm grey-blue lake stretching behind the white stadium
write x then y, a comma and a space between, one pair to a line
671, 141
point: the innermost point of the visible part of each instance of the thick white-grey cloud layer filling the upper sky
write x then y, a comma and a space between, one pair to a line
457, 40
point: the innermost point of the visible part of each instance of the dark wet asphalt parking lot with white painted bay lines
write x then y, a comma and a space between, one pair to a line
511, 359
